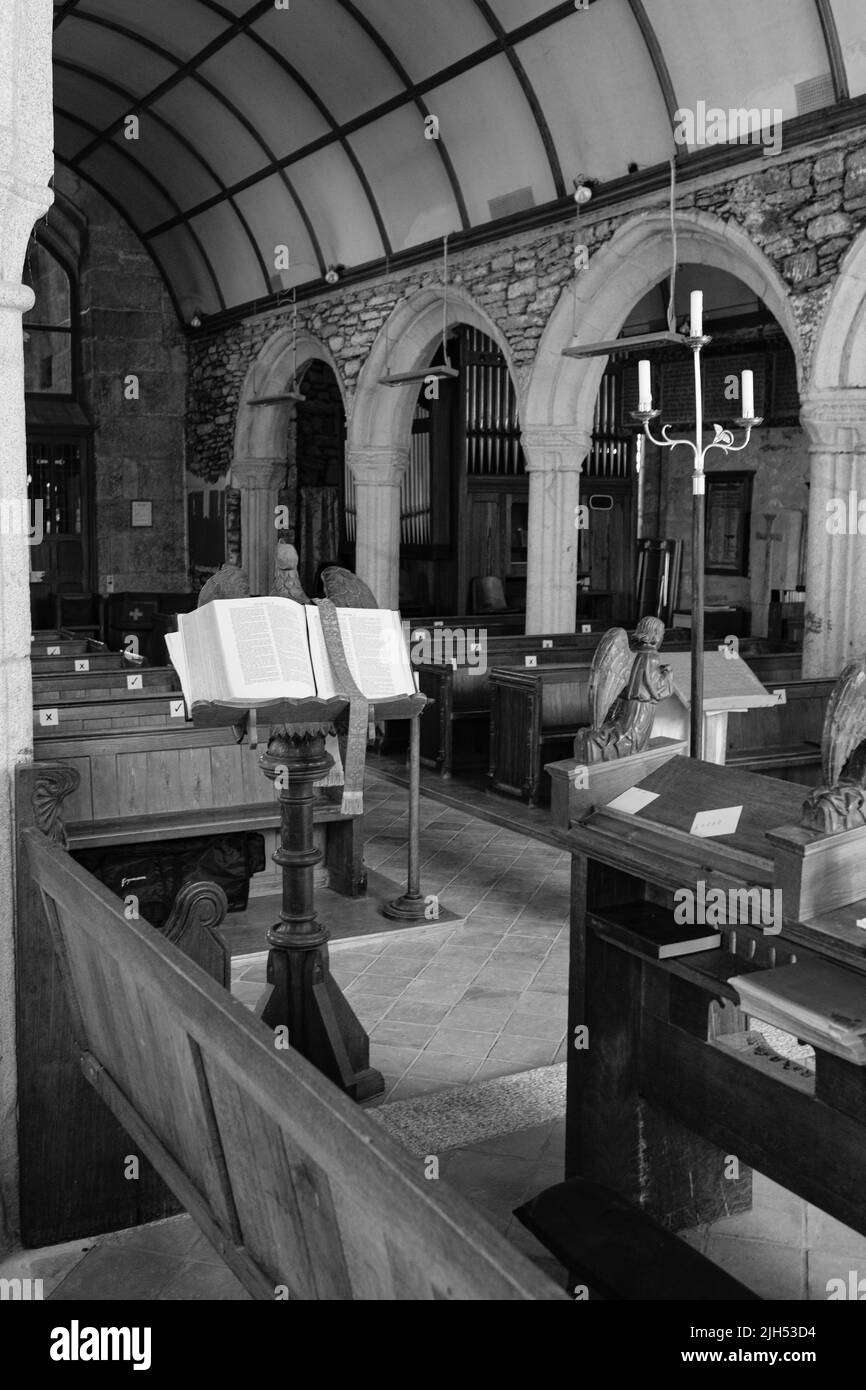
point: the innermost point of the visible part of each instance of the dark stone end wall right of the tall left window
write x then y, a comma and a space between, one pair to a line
129, 326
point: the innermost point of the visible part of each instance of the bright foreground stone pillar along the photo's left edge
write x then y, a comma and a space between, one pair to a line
26, 169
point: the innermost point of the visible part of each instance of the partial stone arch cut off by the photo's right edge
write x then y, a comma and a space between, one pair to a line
840, 345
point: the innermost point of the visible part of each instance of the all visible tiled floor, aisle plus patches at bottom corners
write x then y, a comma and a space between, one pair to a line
447, 1004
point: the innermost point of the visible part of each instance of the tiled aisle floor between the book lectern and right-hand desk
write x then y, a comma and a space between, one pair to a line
451, 1004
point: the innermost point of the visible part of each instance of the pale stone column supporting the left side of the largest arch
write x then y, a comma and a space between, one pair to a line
555, 457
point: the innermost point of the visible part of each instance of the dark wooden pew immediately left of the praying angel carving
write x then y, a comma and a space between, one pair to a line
534, 718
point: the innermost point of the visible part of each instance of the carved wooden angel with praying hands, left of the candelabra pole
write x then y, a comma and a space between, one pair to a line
626, 683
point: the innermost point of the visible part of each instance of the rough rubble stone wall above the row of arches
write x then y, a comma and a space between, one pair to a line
801, 209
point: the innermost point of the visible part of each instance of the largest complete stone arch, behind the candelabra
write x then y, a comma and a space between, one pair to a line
562, 391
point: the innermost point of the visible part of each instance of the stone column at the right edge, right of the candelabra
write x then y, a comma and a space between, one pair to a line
836, 555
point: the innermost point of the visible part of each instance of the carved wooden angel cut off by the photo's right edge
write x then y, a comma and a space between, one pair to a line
842, 803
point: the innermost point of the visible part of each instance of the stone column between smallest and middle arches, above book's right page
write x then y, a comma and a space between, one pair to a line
379, 473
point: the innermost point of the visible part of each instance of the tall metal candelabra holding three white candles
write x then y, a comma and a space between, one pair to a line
724, 440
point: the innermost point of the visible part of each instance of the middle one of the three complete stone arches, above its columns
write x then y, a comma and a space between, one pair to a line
382, 416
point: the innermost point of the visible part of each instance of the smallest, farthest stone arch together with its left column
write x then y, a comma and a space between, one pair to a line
261, 444
